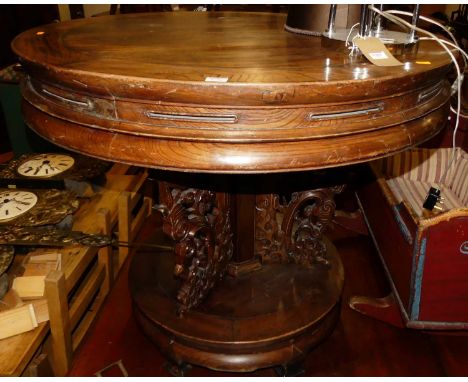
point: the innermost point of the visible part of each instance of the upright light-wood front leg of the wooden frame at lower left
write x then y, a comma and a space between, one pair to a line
62, 348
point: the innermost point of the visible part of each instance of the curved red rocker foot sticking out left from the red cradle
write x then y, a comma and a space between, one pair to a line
383, 309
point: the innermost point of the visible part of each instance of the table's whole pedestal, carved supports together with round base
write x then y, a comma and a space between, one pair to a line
234, 300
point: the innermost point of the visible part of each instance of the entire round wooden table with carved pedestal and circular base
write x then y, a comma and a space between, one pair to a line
222, 101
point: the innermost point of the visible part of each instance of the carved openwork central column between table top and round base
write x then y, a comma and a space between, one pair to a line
270, 229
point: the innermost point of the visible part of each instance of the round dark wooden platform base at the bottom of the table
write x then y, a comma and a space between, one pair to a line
265, 318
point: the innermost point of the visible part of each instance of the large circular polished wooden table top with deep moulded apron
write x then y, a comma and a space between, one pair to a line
223, 92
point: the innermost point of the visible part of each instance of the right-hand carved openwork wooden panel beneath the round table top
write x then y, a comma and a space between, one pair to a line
291, 230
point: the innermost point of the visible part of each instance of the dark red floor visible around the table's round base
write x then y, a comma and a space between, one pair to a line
359, 346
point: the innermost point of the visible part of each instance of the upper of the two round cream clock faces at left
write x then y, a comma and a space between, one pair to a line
45, 165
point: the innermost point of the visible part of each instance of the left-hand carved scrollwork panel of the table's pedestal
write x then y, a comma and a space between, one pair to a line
199, 222
